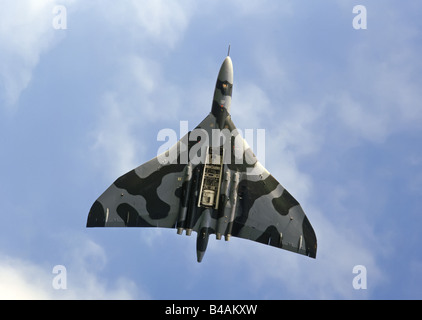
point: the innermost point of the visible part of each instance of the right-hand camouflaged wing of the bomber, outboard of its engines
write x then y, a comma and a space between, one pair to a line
267, 213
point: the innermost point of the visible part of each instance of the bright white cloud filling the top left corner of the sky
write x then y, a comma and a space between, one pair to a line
26, 32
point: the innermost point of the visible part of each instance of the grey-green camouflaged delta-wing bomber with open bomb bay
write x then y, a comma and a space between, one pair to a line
209, 182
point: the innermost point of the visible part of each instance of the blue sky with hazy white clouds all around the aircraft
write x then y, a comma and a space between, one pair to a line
340, 108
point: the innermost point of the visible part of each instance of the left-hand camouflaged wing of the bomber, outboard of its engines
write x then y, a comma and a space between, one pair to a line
147, 196
